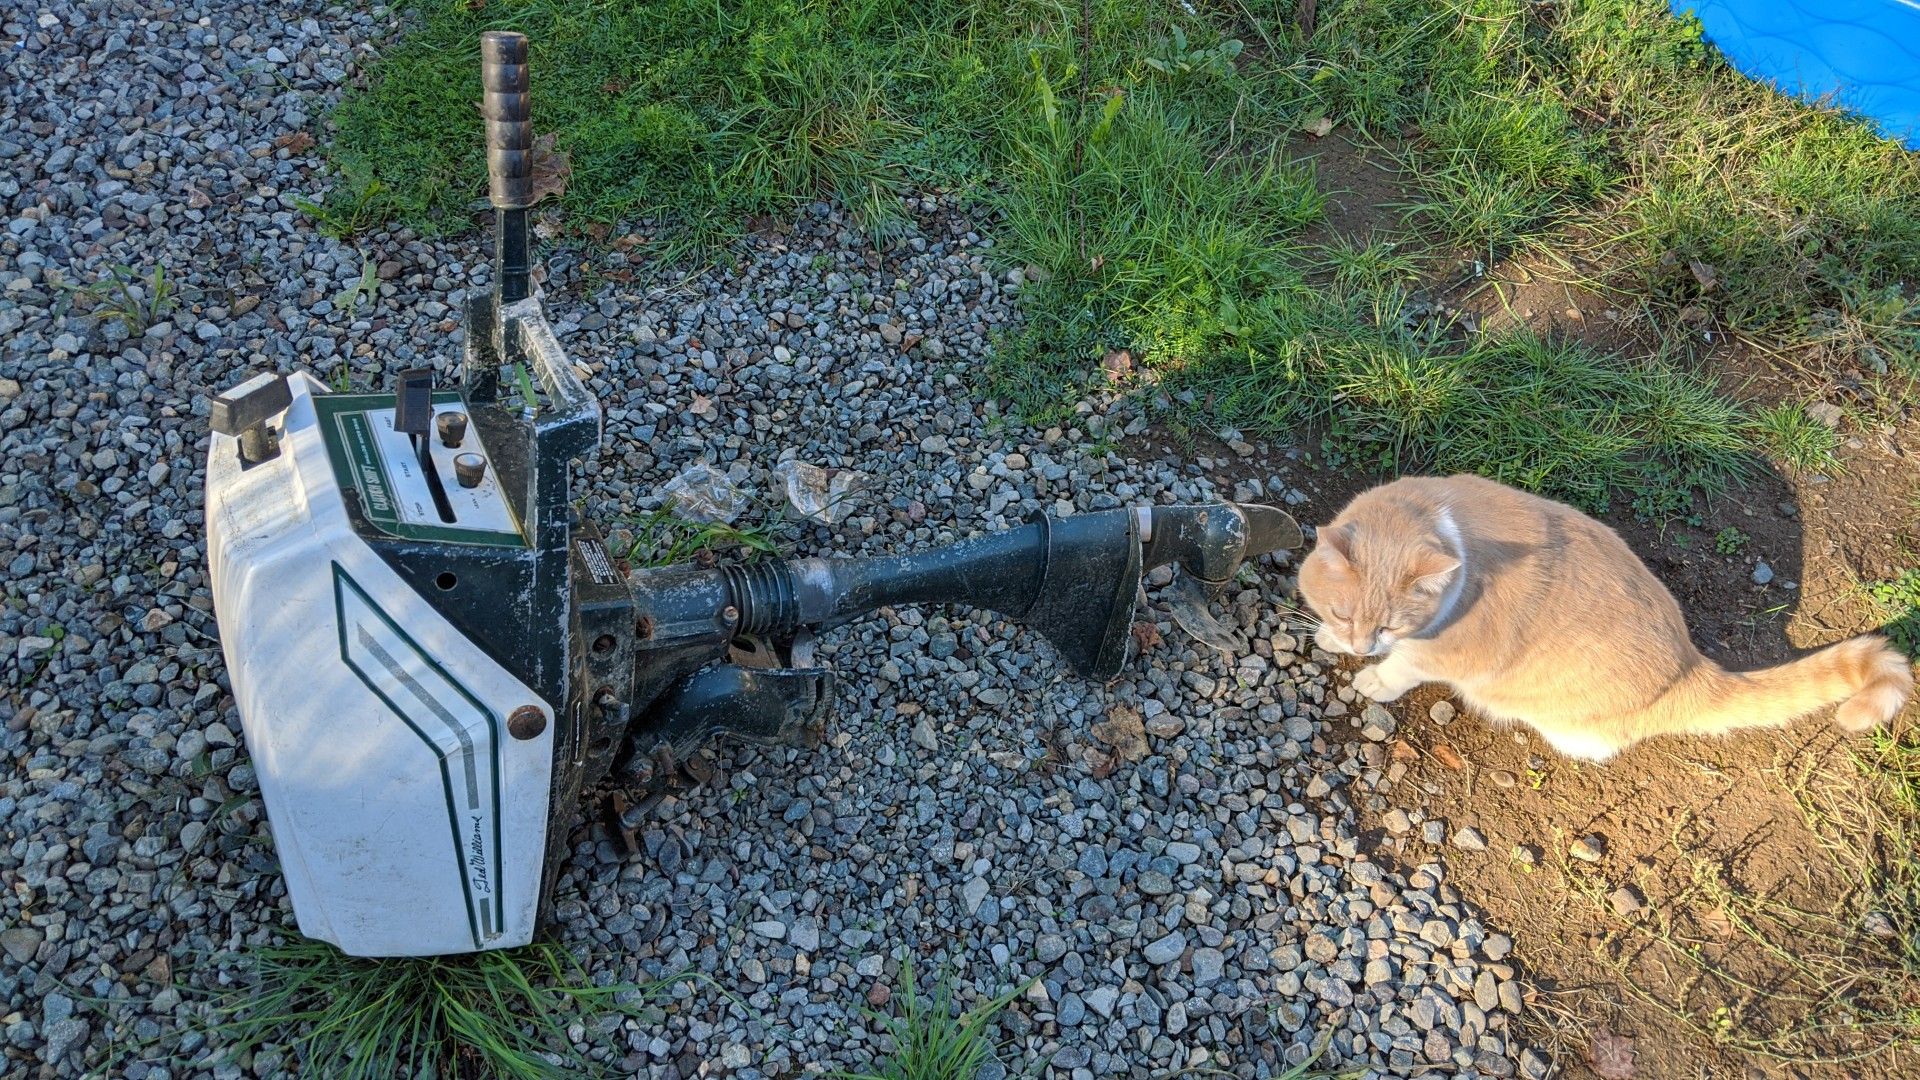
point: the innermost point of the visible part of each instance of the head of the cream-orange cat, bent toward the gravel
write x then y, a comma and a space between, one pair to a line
1374, 587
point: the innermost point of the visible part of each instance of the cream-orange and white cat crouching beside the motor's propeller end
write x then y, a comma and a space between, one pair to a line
1535, 612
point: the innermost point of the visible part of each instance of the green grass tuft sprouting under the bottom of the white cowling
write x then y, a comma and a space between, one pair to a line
498, 1014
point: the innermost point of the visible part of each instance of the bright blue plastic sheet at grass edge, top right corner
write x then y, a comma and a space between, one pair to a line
1856, 55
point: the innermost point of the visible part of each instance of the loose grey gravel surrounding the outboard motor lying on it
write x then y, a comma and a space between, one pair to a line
1211, 904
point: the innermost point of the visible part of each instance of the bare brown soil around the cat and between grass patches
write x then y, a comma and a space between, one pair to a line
1708, 835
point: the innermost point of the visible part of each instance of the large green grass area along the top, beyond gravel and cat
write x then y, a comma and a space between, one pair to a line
1138, 160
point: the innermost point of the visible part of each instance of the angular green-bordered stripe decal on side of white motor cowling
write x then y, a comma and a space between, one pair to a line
427, 699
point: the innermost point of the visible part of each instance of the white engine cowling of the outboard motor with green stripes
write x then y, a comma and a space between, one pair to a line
406, 818
